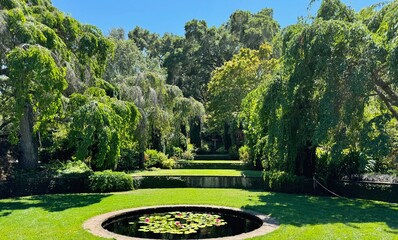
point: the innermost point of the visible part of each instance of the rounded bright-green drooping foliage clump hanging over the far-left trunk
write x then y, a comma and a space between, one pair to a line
36, 80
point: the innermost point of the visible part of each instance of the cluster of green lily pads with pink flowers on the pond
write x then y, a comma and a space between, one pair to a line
178, 222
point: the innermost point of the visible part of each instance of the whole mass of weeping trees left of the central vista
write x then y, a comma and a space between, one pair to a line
56, 104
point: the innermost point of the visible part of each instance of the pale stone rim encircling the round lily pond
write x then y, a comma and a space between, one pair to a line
94, 225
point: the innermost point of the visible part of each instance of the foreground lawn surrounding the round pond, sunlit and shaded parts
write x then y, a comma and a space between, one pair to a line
301, 217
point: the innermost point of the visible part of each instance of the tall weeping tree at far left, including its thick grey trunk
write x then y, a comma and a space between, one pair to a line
45, 55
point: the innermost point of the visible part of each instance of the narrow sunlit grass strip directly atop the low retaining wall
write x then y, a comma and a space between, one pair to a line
199, 172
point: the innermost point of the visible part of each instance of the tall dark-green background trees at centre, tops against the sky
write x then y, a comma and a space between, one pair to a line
190, 60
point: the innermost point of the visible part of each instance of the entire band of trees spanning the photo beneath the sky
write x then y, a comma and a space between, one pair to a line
316, 98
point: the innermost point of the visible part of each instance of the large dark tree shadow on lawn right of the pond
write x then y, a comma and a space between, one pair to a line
299, 210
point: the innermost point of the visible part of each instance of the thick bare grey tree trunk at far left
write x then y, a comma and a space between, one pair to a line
29, 158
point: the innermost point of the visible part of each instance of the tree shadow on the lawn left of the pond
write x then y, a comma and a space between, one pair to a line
51, 203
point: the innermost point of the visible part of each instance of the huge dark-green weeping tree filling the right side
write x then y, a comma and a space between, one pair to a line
332, 86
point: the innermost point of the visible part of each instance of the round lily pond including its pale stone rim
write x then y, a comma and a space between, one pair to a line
181, 222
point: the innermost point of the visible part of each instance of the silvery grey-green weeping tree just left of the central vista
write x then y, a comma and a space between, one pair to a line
163, 107
